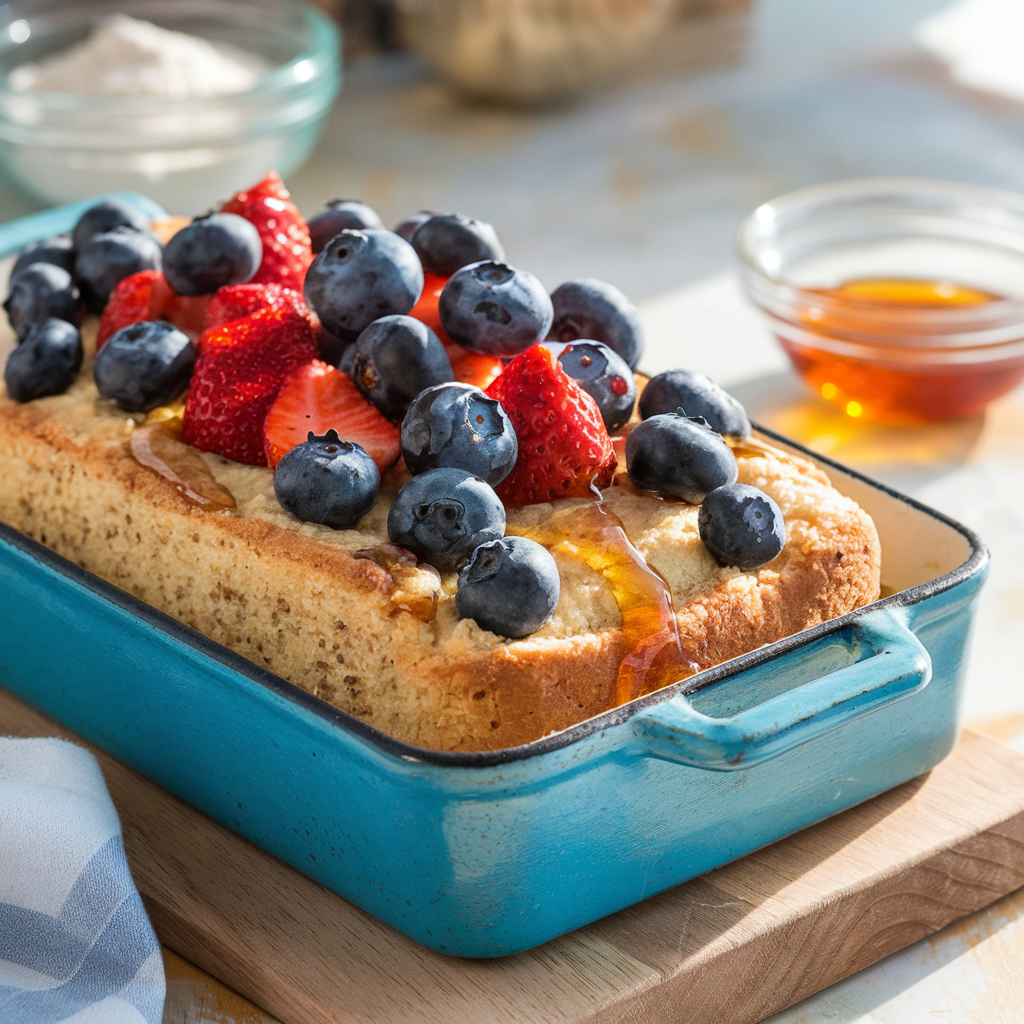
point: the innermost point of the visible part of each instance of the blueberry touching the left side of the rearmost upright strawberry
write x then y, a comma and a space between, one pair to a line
217, 250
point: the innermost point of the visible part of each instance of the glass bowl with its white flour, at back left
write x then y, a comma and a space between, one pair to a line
185, 101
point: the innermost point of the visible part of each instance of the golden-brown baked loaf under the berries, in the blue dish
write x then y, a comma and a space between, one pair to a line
342, 615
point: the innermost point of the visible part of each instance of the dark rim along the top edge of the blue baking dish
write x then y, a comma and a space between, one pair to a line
558, 741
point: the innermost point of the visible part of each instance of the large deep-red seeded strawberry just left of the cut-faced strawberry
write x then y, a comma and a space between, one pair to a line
238, 378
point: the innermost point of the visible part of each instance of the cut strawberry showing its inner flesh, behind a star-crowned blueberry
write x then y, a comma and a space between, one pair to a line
319, 398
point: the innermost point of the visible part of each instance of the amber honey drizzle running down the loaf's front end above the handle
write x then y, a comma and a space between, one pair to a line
595, 535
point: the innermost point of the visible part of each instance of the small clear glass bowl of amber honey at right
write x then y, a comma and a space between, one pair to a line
900, 301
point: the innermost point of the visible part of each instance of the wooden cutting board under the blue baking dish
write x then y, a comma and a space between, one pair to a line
731, 948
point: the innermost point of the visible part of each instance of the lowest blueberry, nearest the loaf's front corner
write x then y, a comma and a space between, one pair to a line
510, 587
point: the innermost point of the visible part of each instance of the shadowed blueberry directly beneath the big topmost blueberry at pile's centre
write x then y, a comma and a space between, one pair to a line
395, 360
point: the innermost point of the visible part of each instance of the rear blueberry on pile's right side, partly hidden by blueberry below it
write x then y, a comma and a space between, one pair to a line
593, 310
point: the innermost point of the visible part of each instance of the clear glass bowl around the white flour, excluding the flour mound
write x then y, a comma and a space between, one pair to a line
185, 154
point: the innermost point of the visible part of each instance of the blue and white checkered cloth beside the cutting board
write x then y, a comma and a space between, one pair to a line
76, 947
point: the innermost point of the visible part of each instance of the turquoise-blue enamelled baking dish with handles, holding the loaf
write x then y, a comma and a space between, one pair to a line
489, 855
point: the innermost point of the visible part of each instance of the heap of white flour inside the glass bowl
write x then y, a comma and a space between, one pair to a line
124, 57
